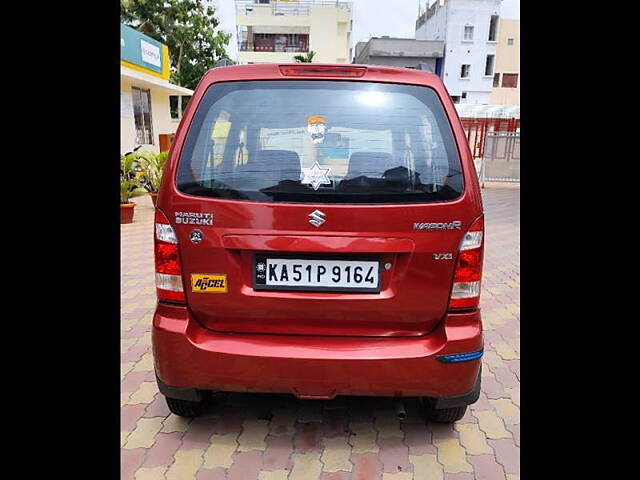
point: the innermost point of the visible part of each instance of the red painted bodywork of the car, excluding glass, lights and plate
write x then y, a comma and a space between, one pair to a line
318, 343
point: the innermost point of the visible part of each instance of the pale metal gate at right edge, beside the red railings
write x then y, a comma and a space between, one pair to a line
501, 157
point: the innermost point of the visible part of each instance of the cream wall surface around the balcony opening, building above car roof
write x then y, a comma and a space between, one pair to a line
329, 33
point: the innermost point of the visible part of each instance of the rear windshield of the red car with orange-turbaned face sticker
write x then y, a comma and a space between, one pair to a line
321, 142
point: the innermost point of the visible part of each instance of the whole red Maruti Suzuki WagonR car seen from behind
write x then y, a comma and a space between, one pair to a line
319, 232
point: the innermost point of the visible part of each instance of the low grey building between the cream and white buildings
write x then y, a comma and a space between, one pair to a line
401, 52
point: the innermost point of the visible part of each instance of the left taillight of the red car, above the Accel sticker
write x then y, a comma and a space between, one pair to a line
168, 271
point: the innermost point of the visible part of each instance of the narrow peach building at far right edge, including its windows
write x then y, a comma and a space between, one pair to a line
506, 79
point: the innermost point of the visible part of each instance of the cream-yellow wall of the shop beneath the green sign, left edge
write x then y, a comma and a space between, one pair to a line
160, 117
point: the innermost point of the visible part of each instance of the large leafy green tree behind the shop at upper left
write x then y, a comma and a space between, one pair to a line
187, 27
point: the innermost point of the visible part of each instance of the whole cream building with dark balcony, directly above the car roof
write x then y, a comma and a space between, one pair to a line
275, 31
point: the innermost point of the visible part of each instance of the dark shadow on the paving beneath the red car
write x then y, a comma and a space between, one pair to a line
311, 421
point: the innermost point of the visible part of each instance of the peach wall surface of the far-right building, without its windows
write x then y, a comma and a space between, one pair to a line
507, 61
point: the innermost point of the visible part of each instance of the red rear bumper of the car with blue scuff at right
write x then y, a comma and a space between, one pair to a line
189, 358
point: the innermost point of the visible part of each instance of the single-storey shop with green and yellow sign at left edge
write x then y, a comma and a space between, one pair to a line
146, 94
